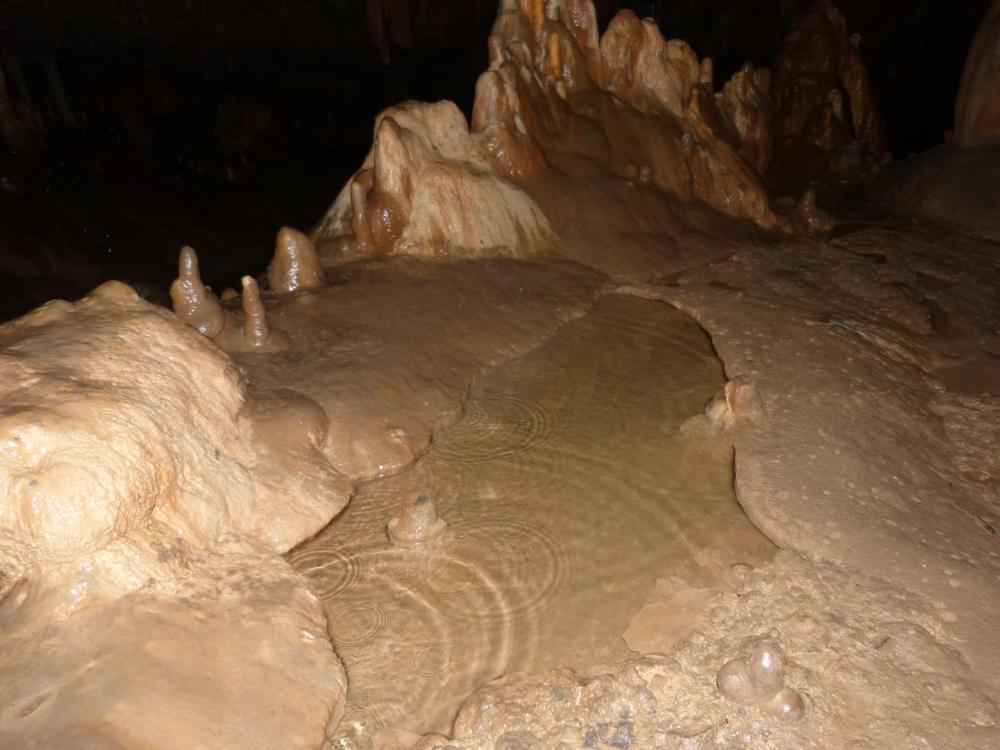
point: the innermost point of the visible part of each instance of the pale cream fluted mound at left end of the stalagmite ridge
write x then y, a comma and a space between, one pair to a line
425, 190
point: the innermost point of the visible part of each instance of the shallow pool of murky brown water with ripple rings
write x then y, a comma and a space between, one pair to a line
567, 494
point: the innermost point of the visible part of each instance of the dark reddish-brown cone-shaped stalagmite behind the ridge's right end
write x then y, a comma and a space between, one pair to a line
825, 120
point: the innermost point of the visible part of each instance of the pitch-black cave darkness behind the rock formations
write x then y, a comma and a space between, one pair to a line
215, 122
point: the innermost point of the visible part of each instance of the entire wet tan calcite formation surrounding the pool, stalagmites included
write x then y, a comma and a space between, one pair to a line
153, 467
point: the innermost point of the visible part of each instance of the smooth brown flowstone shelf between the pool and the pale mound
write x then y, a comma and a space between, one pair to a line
382, 409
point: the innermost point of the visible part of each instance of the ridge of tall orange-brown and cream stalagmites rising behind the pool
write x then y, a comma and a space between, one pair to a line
557, 96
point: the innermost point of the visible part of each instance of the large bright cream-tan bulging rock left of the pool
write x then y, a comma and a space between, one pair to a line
144, 499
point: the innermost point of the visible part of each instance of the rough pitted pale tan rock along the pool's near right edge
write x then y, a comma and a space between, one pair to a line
857, 692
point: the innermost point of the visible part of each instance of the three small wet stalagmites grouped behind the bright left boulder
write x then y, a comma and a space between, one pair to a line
295, 267
